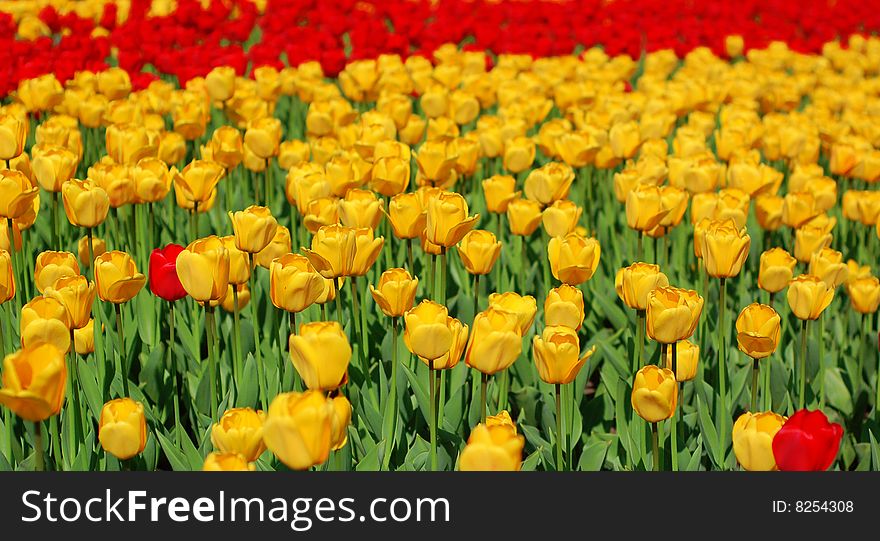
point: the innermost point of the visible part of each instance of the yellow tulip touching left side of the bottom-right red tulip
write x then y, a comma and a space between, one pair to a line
753, 435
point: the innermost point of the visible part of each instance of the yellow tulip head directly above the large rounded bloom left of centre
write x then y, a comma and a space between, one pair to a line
294, 284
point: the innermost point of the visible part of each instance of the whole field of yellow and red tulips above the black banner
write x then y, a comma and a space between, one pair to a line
421, 236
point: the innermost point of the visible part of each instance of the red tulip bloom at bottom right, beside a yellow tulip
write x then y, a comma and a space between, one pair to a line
807, 442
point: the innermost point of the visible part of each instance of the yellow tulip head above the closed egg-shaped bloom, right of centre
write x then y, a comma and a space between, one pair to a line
672, 314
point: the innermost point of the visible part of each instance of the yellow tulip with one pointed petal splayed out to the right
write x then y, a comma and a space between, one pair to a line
558, 354
